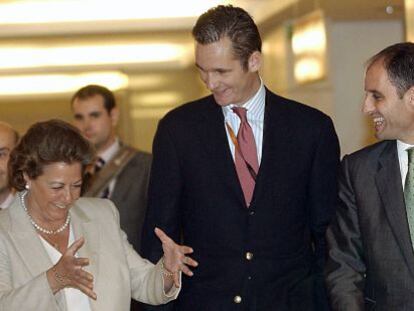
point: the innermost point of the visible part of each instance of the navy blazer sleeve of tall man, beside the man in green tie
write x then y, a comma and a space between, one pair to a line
323, 196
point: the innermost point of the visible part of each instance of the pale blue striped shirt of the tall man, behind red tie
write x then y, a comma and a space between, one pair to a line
255, 107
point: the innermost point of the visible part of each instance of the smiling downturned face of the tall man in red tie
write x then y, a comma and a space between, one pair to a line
224, 75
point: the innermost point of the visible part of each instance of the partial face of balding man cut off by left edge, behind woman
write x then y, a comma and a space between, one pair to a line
7, 143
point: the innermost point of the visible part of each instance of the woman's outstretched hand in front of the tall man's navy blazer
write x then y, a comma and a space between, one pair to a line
175, 257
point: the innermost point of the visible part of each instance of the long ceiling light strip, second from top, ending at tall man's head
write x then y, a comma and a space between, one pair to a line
103, 54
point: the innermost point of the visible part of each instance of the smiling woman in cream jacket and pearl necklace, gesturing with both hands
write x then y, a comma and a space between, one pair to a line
62, 252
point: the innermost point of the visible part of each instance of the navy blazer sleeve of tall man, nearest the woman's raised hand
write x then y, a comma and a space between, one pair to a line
163, 198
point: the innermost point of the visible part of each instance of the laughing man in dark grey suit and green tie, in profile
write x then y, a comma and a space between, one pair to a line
371, 258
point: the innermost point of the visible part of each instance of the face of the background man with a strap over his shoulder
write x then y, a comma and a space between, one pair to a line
94, 121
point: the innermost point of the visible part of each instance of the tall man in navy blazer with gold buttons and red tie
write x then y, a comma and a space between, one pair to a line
252, 197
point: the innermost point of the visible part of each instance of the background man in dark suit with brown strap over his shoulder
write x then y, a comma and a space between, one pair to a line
121, 173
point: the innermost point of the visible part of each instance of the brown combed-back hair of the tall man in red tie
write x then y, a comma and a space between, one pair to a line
234, 23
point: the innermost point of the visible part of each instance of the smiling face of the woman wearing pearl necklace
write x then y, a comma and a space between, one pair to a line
52, 194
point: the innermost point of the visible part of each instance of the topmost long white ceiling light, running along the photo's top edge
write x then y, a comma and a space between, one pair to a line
52, 11
